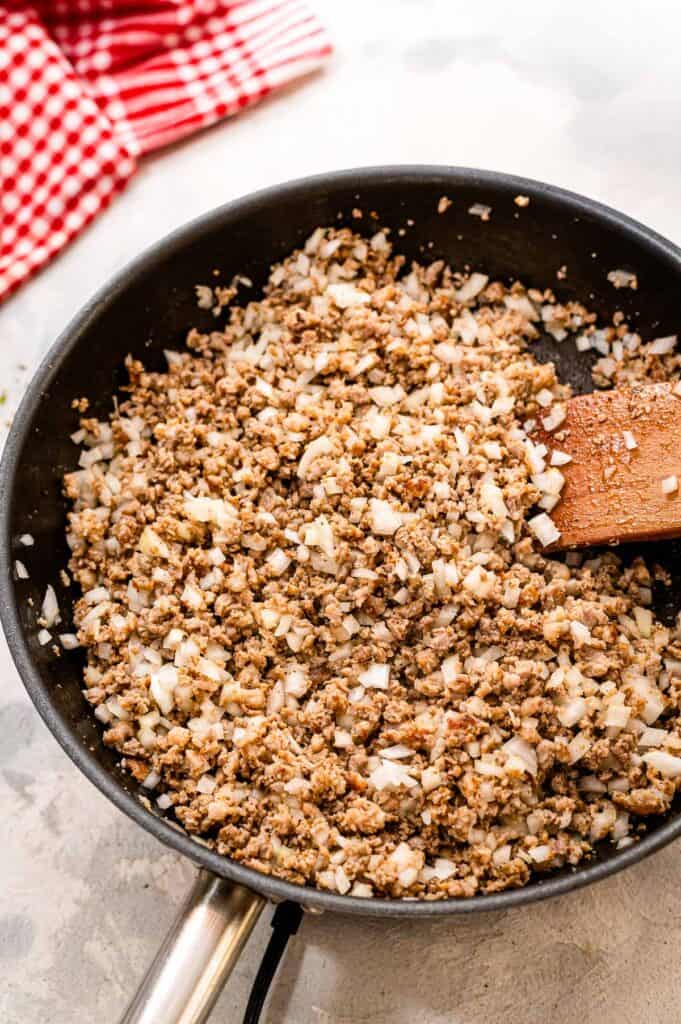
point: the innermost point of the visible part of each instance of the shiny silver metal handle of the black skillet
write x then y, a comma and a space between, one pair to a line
198, 955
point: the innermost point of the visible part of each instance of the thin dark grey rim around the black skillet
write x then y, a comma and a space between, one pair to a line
276, 889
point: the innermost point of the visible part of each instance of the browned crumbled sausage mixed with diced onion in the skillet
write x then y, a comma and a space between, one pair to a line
319, 622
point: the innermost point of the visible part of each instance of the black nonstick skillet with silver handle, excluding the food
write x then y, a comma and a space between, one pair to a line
150, 307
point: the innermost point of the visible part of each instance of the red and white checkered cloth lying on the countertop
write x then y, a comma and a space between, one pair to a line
89, 87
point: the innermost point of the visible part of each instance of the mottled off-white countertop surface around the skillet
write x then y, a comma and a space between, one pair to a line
585, 96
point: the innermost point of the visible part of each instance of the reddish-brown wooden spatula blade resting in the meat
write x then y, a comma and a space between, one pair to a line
616, 492
